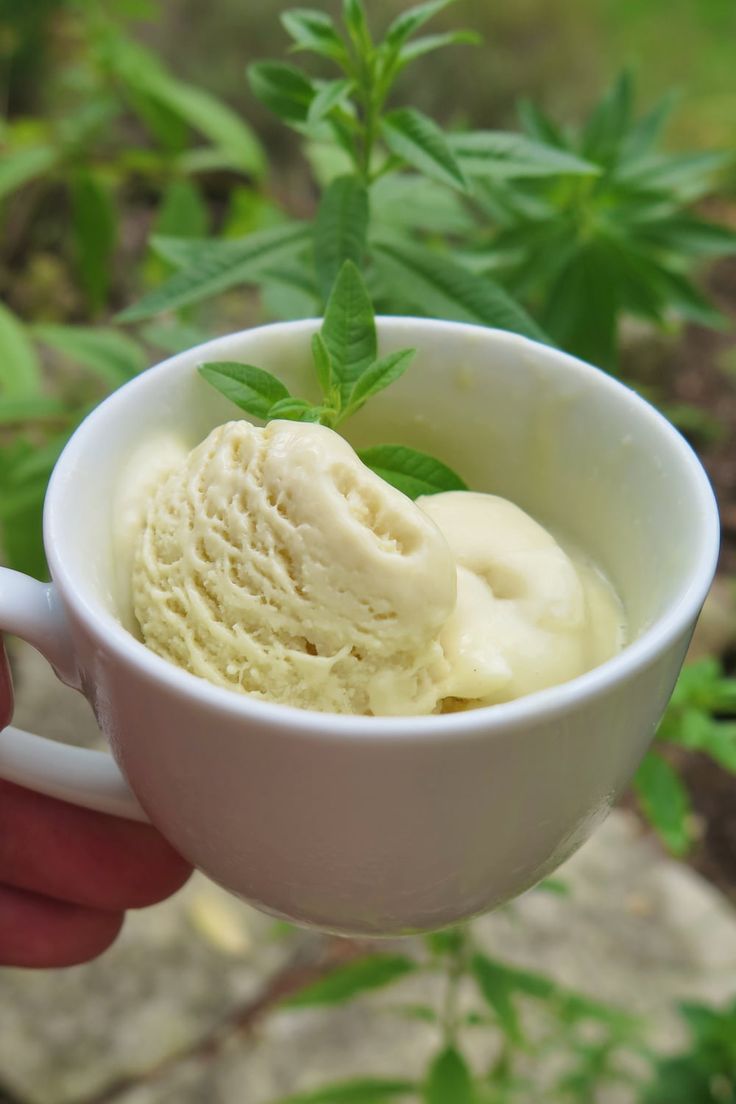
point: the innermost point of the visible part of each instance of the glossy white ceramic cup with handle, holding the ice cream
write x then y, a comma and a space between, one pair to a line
379, 825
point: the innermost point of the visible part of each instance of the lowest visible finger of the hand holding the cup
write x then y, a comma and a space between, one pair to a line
37, 932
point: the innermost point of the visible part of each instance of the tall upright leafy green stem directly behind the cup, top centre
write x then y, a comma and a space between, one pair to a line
367, 155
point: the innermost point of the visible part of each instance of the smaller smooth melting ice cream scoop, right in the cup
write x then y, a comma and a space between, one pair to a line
529, 615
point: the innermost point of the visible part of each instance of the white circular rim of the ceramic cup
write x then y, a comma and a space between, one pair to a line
481, 721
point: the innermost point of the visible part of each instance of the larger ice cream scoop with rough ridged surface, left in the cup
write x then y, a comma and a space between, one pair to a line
274, 562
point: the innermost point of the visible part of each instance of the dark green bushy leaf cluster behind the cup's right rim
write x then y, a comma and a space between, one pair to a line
585, 251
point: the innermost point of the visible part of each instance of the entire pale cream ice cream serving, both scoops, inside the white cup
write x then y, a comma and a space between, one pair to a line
273, 562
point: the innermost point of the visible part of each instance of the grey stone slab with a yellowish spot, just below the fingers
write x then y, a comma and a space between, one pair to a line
170, 981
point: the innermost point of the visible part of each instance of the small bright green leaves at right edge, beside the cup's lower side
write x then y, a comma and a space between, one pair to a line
701, 717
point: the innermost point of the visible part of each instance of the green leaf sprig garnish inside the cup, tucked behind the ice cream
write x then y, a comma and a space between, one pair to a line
349, 373
